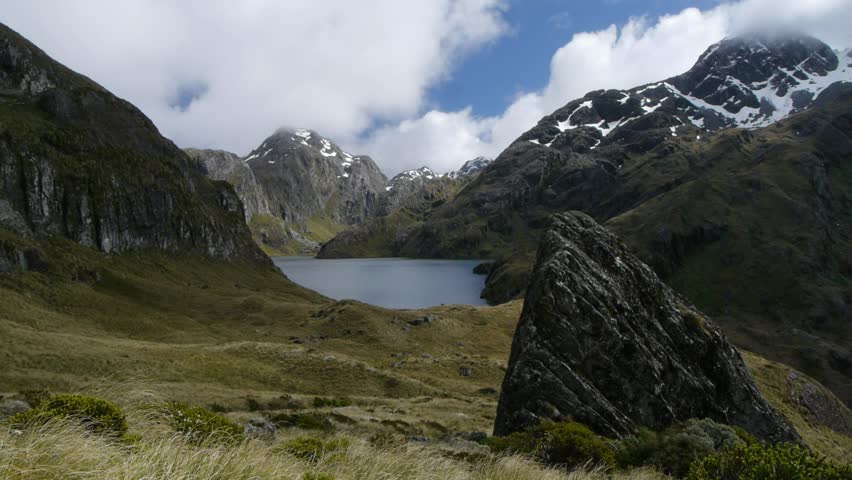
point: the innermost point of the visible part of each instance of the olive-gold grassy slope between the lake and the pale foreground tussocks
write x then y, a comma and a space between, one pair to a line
202, 331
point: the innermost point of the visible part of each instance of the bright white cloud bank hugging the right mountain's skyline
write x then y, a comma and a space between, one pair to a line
641, 51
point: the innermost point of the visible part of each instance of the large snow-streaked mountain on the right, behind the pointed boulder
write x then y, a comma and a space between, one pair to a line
750, 222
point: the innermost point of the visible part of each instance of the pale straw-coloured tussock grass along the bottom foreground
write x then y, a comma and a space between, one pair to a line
63, 450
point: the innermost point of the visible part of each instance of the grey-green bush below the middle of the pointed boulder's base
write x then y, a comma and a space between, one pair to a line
674, 449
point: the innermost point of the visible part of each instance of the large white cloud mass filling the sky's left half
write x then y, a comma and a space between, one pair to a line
336, 66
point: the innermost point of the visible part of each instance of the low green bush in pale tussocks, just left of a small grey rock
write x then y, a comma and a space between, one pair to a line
199, 424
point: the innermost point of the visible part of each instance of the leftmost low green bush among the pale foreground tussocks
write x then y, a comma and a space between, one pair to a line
97, 415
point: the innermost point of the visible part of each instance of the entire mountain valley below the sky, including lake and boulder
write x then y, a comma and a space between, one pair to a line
644, 283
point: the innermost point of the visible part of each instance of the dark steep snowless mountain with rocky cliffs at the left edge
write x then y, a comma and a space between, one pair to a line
80, 163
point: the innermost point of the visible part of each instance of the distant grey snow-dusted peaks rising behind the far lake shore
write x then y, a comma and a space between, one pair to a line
301, 189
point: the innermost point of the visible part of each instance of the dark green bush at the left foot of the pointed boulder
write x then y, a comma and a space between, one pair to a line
561, 443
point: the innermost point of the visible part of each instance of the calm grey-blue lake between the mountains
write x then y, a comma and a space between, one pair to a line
388, 282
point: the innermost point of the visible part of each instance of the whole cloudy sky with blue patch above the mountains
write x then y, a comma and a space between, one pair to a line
408, 82
